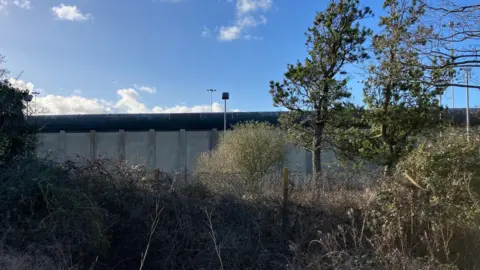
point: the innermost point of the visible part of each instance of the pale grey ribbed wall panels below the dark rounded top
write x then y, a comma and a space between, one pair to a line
170, 151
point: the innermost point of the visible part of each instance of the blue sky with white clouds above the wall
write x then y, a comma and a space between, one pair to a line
111, 55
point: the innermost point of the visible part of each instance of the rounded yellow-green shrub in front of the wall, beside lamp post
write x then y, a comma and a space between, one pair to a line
250, 150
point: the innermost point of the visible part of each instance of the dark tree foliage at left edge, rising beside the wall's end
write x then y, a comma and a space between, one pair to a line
17, 137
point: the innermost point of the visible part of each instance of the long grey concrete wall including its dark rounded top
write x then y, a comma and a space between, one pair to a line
173, 142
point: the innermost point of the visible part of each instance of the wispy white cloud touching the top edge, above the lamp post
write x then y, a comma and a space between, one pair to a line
244, 19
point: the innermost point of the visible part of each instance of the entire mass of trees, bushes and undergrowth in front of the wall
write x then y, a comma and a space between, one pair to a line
233, 212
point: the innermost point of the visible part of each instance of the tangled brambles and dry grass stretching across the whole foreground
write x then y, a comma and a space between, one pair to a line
107, 215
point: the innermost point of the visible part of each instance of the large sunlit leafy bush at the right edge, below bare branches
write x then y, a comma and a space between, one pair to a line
430, 207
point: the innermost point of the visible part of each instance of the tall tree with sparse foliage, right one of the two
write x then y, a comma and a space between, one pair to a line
400, 103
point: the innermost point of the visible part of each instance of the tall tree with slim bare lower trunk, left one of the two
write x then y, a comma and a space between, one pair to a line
314, 91
